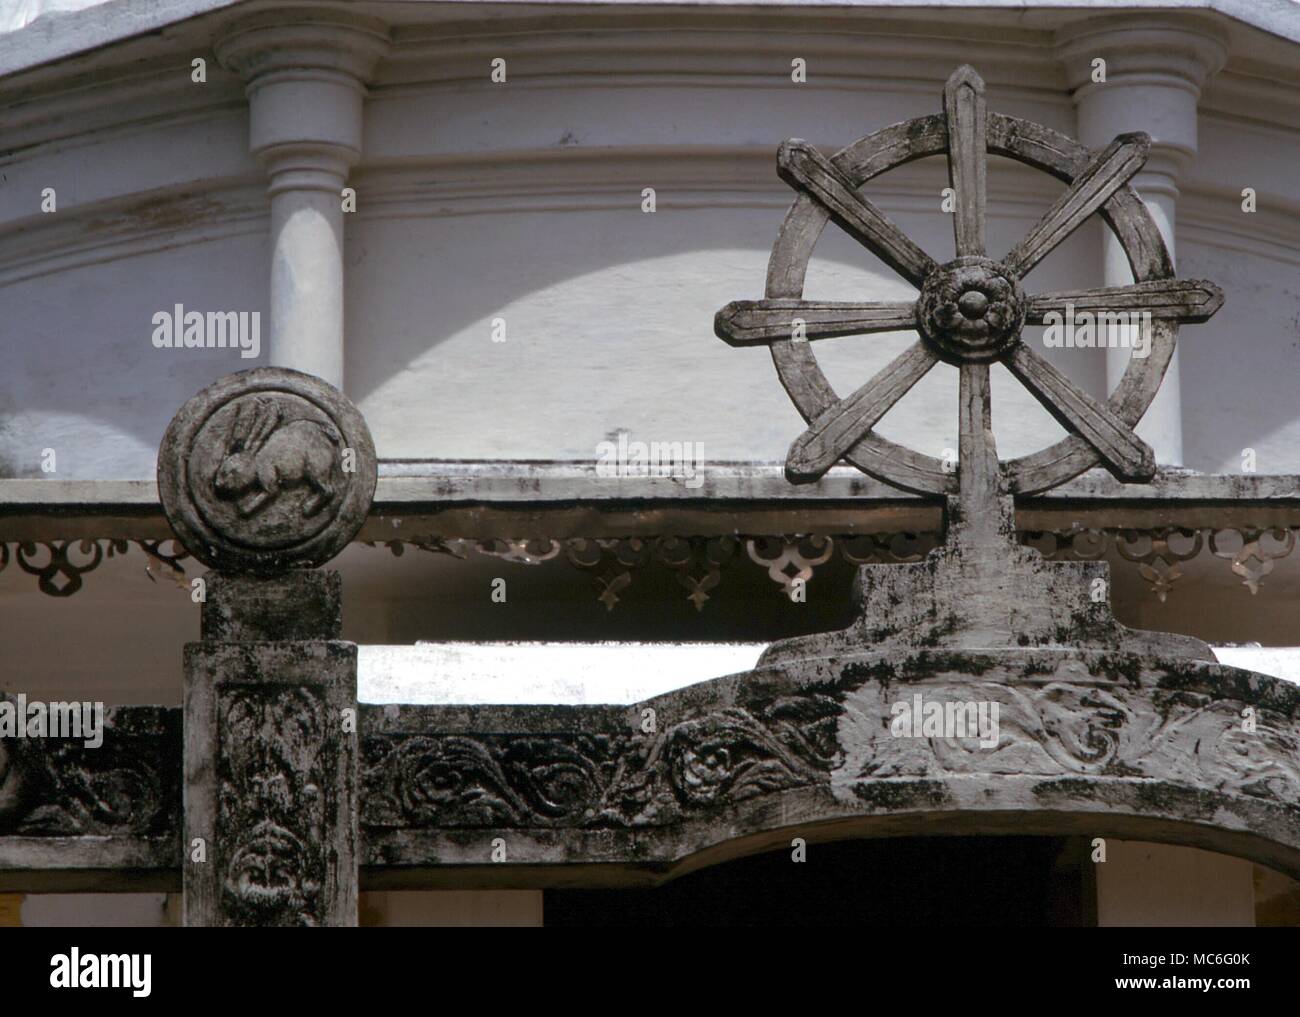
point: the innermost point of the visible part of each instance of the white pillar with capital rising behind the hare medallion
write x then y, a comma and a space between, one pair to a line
306, 72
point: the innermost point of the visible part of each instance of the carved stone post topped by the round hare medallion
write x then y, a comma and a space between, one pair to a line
263, 475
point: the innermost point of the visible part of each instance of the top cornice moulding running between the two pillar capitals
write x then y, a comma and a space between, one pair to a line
710, 47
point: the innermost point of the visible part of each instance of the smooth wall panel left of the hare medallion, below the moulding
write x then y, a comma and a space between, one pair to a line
84, 376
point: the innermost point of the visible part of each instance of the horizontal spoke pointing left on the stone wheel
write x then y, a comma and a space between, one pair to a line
744, 323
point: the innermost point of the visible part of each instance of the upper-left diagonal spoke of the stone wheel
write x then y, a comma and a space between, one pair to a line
807, 170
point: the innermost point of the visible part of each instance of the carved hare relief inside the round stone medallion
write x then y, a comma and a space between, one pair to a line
266, 455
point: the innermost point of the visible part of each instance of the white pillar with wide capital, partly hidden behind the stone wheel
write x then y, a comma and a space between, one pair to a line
1155, 68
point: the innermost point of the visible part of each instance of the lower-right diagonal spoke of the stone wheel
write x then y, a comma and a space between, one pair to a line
1124, 453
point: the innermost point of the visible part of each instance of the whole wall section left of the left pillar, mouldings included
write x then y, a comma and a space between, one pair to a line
157, 204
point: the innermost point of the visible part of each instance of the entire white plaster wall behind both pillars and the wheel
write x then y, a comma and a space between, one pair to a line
523, 202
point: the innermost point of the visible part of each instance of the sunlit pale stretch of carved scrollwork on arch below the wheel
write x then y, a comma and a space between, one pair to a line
1159, 725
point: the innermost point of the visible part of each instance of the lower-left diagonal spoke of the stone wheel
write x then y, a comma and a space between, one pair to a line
846, 423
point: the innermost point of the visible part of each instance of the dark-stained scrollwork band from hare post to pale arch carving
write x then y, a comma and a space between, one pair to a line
612, 780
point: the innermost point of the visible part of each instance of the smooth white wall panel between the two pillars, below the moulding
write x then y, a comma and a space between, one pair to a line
608, 314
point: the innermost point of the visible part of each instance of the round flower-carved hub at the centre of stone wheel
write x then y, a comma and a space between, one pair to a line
972, 311
